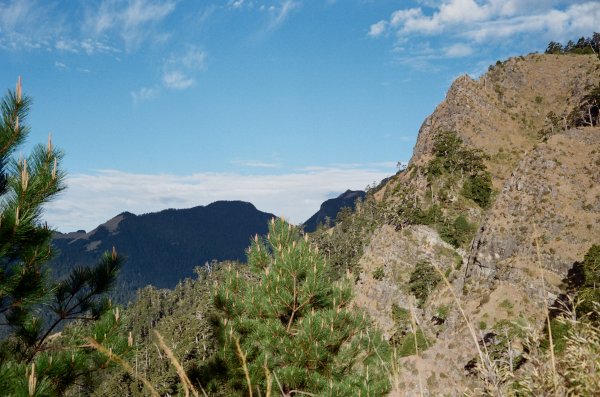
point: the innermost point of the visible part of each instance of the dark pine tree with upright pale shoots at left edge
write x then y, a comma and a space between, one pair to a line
32, 307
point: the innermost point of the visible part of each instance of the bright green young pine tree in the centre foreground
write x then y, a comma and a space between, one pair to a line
286, 326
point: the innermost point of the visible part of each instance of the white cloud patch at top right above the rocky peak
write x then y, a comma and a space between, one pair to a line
462, 27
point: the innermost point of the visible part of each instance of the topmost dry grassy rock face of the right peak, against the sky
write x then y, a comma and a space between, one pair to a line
502, 112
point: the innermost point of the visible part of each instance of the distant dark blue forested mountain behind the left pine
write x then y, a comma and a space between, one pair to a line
163, 248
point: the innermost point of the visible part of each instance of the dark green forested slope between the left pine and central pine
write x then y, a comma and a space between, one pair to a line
183, 316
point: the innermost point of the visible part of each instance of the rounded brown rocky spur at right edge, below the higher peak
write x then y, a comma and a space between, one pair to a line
552, 198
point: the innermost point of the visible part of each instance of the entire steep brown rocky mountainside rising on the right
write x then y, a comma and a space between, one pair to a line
543, 191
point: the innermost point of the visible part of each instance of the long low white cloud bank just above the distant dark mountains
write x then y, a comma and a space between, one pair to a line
91, 200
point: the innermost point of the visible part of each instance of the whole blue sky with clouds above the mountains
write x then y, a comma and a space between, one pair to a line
284, 103
